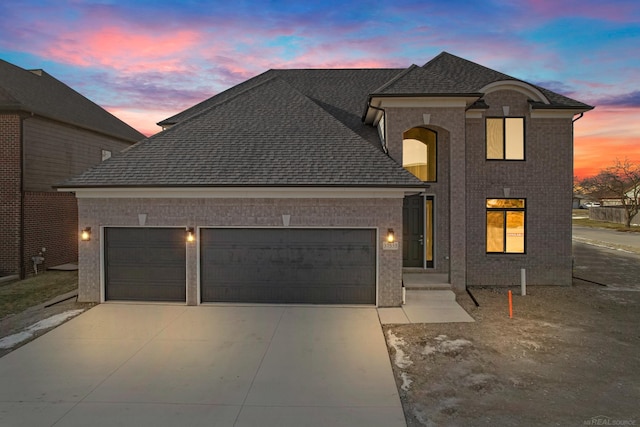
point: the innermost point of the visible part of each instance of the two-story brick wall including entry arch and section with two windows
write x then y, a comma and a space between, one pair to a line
465, 179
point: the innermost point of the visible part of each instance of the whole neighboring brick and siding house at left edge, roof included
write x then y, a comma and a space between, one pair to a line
48, 133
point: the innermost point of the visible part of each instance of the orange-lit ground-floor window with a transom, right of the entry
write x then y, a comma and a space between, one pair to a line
505, 226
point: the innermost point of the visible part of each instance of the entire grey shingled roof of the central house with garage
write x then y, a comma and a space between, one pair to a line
290, 128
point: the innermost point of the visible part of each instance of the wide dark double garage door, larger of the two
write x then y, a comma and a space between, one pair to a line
308, 266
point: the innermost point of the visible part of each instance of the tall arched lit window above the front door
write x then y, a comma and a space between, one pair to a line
419, 153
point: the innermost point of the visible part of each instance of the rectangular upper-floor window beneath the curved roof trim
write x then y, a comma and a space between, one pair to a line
505, 138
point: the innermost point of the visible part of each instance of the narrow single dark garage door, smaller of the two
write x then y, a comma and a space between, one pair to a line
145, 264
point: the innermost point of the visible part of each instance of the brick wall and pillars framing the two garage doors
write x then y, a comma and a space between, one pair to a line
380, 213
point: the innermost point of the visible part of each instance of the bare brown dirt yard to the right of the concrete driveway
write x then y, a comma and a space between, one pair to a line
568, 357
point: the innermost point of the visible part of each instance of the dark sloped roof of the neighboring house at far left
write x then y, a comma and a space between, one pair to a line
39, 93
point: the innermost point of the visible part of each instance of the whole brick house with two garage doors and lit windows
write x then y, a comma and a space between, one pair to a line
324, 186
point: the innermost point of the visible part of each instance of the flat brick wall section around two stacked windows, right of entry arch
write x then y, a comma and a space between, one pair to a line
544, 179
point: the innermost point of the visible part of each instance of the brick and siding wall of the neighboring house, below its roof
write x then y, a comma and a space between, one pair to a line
32, 219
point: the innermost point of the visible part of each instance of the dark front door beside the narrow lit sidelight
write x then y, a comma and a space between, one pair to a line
413, 231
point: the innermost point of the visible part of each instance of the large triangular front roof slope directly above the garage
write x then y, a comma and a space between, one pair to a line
267, 135
